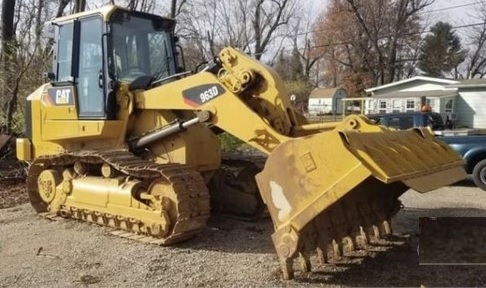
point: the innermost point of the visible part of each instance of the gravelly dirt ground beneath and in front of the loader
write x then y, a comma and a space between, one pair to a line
43, 253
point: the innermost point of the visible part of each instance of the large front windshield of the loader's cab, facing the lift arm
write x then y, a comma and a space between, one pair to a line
141, 46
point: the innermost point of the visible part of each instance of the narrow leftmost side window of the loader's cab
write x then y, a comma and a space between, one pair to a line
65, 53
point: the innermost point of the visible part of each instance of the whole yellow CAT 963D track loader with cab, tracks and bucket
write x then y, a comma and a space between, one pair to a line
122, 136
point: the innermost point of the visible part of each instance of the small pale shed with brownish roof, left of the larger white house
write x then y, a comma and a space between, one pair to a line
326, 101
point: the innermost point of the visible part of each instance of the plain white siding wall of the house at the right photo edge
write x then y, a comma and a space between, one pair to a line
471, 109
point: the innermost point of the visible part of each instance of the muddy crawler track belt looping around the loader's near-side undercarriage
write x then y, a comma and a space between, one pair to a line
190, 188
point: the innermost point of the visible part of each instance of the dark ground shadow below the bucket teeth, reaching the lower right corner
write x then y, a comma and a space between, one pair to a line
398, 267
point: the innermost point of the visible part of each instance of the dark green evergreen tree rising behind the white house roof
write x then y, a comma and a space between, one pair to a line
441, 51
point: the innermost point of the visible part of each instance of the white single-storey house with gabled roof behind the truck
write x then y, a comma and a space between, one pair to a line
463, 101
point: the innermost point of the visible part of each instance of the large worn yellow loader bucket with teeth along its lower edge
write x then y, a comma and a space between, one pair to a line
343, 185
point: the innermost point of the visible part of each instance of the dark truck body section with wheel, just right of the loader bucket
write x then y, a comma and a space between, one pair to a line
472, 148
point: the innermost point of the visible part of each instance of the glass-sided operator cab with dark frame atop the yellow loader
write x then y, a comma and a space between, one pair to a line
97, 50
